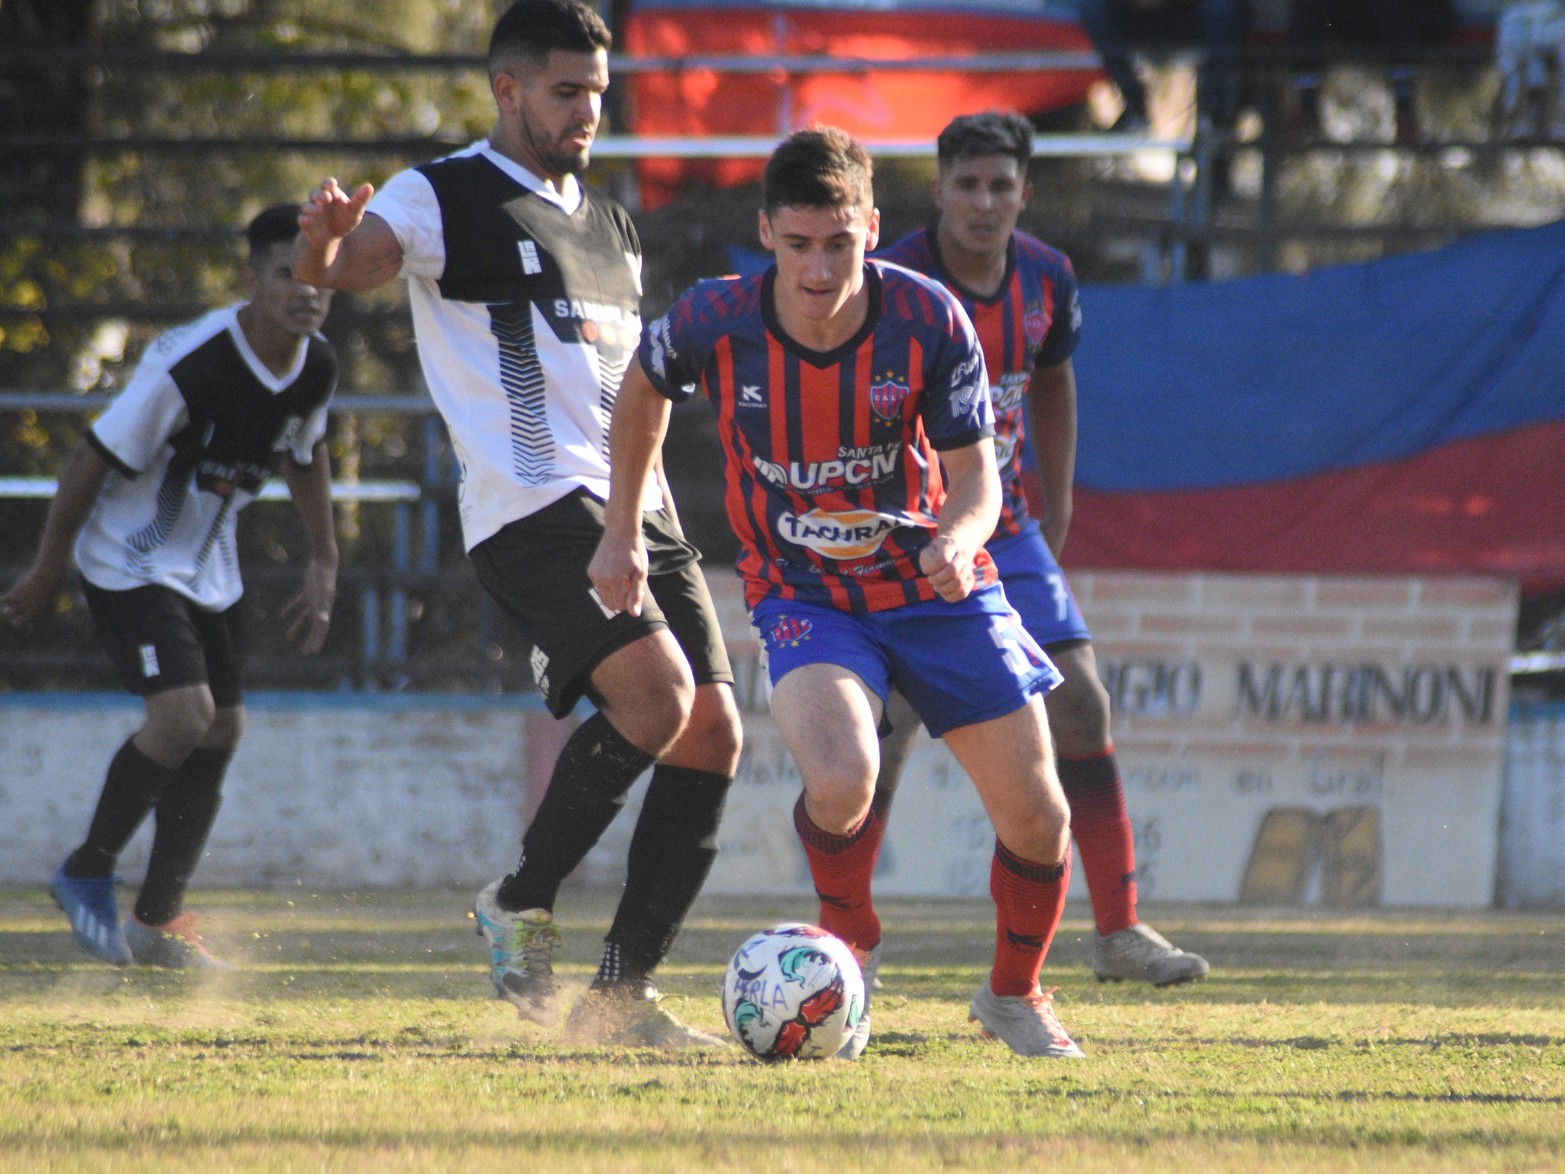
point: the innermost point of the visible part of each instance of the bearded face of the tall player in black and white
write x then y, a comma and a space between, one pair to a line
550, 112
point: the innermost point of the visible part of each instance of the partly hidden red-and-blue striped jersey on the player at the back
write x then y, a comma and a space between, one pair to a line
1032, 320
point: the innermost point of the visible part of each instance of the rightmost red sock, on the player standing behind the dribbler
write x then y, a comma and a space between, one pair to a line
1106, 843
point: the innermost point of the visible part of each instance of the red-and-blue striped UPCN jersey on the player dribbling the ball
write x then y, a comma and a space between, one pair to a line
830, 459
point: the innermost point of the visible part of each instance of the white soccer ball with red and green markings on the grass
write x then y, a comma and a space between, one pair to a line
793, 993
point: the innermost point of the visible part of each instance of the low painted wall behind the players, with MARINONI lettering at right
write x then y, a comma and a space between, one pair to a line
1283, 740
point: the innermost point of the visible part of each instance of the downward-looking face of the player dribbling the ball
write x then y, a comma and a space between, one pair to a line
821, 256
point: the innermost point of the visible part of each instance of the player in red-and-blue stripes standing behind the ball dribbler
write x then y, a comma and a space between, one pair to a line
1023, 300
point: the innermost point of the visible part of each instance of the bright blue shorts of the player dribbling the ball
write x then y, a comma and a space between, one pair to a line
957, 663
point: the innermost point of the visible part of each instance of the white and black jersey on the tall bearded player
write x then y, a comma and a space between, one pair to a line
527, 308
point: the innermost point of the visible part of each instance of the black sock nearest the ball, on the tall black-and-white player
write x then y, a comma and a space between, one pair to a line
671, 857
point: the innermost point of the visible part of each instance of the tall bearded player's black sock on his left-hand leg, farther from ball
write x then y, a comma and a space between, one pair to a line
588, 788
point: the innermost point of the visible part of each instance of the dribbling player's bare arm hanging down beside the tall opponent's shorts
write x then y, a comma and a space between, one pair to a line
636, 439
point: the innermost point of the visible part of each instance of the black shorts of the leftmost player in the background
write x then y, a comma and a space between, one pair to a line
160, 641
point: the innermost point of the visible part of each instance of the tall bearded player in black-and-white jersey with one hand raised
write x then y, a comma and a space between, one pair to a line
525, 289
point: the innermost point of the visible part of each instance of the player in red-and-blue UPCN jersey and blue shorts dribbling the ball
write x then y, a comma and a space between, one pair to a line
862, 478
